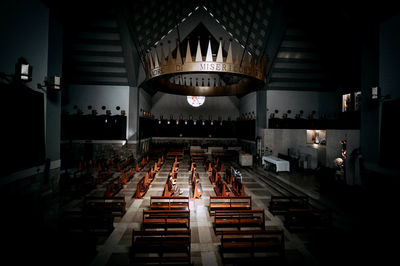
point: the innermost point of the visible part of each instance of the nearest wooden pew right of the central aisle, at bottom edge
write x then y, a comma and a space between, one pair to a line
254, 246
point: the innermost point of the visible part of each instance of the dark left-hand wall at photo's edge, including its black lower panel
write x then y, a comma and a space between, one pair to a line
24, 26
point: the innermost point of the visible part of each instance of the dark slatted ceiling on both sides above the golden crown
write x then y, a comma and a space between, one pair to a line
311, 45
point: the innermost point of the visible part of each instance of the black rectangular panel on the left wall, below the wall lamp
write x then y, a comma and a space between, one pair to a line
22, 128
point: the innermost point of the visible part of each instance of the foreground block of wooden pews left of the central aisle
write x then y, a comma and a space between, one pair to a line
165, 237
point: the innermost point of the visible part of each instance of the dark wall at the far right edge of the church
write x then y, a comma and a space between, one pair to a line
380, 62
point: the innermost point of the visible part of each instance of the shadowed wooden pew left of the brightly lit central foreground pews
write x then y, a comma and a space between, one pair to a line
114, 206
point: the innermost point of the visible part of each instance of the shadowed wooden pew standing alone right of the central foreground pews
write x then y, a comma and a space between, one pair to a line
281, 204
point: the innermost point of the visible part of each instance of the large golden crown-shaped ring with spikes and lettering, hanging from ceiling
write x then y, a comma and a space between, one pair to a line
204, 75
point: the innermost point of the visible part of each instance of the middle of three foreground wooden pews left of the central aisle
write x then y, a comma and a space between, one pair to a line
166, 219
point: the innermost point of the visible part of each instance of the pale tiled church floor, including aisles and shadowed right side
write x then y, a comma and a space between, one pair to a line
301, 248
